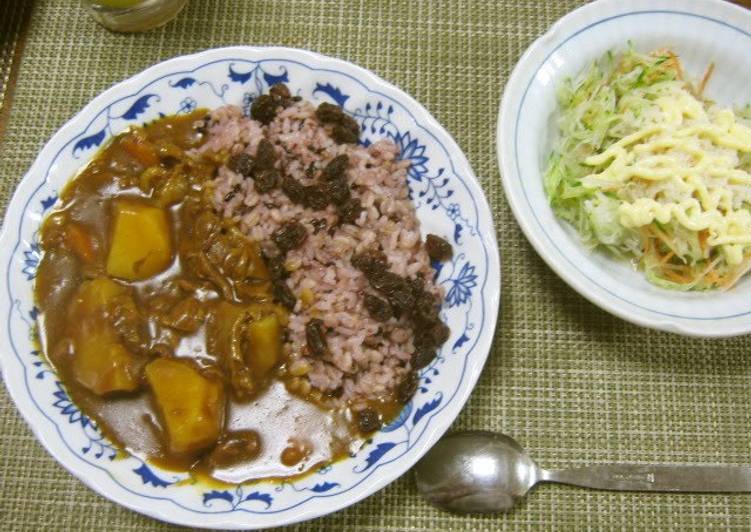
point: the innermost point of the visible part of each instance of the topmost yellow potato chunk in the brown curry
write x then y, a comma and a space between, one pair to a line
141, 243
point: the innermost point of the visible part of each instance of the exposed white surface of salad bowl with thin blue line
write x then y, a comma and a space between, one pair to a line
700, 32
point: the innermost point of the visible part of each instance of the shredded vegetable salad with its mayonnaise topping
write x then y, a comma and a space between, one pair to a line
648, 169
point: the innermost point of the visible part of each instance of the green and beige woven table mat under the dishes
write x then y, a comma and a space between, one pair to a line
572, 383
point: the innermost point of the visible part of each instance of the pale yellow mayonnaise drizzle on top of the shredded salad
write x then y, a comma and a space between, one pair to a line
684, 164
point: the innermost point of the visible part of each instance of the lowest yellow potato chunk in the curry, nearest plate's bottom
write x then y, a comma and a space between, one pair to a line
190, 405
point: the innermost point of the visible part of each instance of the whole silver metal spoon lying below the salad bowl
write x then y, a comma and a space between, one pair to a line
486, 472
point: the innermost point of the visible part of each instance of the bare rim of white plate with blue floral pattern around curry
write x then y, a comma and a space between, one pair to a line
449, 202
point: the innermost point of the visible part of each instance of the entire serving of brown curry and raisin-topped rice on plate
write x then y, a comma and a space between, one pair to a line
241, 297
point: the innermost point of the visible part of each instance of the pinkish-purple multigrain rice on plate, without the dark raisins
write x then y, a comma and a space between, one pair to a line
366, 359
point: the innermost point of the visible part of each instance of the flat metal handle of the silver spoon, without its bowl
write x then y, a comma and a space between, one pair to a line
637, 477
